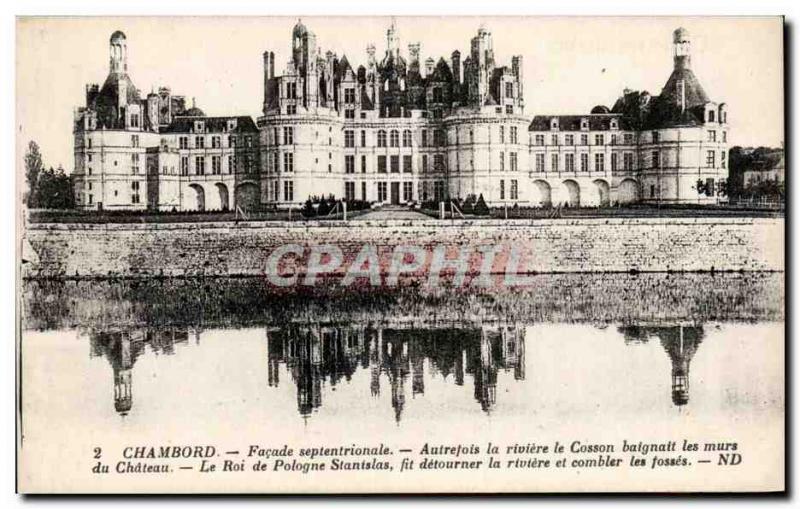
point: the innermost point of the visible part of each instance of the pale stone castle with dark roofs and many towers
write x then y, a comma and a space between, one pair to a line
396, 130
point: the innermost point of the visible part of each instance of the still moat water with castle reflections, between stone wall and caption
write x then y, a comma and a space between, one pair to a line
568, 351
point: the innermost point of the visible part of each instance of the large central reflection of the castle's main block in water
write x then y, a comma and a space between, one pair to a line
314, 354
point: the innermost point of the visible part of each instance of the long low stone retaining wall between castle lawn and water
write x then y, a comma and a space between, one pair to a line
542, 246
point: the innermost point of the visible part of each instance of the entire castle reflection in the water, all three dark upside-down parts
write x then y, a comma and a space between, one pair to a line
315, 355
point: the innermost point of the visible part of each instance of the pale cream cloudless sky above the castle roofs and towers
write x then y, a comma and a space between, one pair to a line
570, 64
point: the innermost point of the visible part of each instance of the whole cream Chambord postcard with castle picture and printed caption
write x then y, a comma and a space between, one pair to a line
400, 254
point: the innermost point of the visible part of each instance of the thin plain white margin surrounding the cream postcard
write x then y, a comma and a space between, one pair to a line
306, 7
